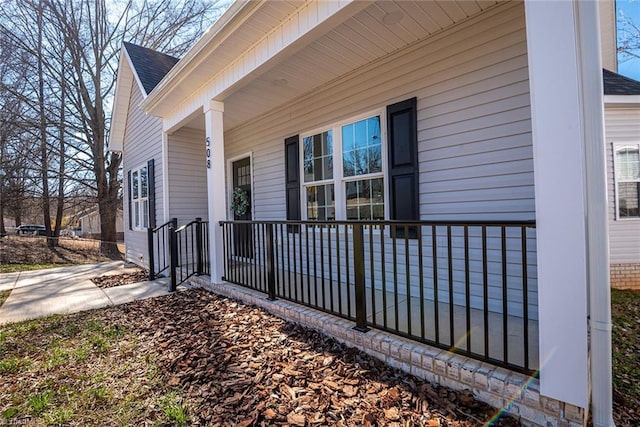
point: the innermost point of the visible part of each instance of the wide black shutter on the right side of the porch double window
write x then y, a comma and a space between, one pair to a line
403, 160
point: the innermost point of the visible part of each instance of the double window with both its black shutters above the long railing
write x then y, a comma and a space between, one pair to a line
362, 168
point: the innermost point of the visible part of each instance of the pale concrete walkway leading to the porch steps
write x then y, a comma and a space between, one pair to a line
69, 289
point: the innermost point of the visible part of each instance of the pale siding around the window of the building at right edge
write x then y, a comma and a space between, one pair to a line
621, 125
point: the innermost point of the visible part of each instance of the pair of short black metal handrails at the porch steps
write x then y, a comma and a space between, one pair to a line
182, 251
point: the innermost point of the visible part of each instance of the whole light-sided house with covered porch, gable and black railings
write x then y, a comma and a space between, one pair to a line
421, 168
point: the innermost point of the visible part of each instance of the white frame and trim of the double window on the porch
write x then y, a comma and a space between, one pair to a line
338, 179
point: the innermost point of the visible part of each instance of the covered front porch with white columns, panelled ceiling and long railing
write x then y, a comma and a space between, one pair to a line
493, 265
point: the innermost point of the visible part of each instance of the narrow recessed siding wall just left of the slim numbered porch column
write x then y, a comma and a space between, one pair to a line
187, 176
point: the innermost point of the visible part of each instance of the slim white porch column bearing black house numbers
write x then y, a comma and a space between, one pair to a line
214, 146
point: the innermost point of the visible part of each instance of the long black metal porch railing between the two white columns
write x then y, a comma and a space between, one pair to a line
468, 287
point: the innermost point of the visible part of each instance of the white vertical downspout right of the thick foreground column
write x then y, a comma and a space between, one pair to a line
598, 281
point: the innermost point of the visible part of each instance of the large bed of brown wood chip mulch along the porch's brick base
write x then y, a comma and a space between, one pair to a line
238, 365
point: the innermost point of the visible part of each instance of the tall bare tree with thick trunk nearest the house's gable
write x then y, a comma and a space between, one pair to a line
76, 51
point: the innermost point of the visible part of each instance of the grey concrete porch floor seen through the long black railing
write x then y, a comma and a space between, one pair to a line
416, 317
